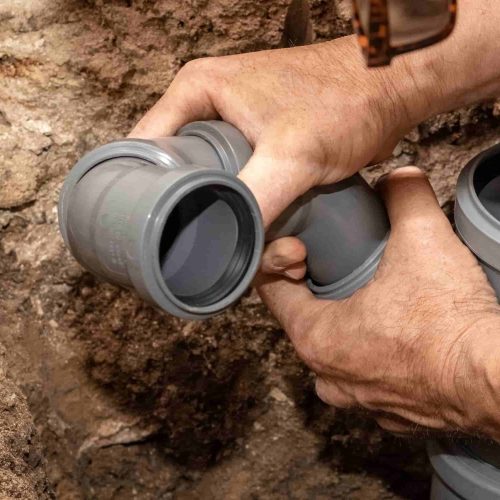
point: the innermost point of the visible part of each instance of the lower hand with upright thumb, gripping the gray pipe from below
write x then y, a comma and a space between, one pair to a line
419, 345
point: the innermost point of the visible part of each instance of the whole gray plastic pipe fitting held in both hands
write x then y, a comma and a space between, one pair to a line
170, 219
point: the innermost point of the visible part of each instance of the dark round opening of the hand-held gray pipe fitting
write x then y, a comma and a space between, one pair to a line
207, 245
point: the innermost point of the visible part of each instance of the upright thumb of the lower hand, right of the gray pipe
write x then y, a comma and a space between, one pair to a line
409, 198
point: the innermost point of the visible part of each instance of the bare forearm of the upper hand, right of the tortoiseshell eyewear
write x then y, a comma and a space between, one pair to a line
464, 68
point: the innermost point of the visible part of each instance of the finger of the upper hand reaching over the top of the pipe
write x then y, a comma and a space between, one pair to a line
186, 100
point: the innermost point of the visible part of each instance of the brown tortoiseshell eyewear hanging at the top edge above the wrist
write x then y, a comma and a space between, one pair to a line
387, 28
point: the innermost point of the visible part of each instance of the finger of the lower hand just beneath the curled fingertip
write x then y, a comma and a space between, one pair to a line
295, 307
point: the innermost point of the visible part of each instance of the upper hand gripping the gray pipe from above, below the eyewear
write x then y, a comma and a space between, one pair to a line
314, 115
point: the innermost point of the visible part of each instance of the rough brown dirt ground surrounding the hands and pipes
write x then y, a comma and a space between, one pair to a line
101, 396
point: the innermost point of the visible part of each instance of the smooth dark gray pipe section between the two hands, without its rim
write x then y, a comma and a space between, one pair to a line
342, 225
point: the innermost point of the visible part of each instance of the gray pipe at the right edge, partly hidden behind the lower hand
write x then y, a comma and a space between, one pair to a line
470, 469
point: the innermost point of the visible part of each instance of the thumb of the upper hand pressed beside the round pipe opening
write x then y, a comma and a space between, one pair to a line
278, 178
